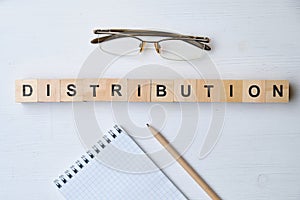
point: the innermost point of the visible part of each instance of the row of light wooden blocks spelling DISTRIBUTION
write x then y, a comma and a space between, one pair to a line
179, 90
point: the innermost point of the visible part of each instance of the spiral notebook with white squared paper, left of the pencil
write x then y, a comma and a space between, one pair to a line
90, 179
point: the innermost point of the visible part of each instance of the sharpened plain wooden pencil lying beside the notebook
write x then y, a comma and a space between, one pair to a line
199, 180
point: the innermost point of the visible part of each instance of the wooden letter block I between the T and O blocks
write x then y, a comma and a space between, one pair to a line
233, 91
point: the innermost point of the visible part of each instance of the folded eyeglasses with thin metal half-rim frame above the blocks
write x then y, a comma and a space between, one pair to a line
174, 46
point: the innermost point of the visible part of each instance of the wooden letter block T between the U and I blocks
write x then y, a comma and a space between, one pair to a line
210, 90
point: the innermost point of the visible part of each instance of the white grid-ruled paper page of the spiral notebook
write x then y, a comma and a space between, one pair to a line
97, 181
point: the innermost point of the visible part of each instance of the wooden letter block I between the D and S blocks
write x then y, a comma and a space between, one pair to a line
48, 90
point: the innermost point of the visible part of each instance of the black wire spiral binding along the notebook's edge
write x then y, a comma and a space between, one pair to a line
85, 159
